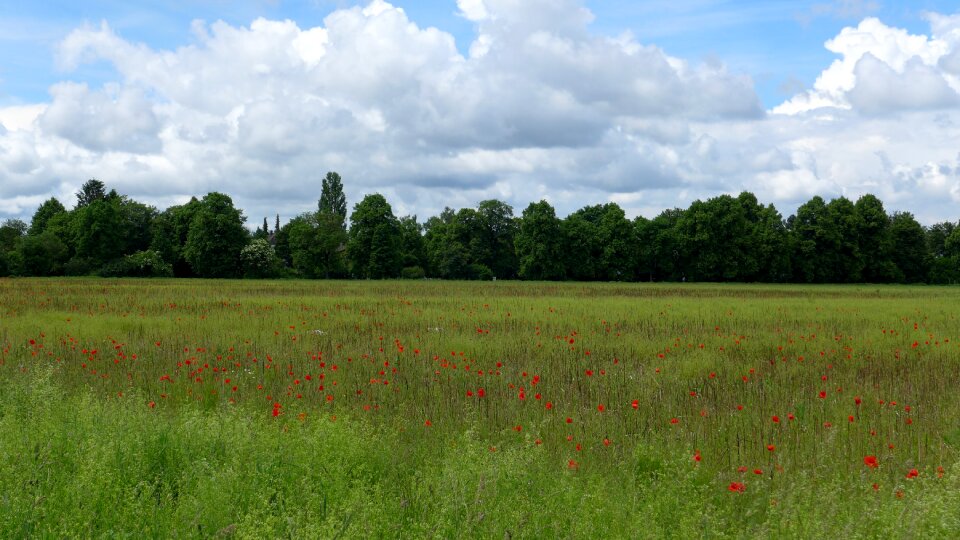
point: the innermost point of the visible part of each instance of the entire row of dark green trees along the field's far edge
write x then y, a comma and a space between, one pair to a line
722, 239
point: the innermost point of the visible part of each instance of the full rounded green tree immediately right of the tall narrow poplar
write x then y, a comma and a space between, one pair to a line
373, 245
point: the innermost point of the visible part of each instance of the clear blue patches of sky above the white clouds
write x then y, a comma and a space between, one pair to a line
779, 43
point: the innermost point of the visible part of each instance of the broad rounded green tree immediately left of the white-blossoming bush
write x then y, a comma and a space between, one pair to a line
215, 238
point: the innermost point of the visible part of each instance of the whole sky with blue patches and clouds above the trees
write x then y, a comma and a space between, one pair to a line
436, 103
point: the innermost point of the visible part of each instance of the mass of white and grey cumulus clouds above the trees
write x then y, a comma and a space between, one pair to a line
540, 107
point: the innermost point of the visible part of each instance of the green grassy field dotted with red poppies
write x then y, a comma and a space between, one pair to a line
490, 410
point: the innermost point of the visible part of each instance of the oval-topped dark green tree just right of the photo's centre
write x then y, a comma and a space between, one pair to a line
538, 243
